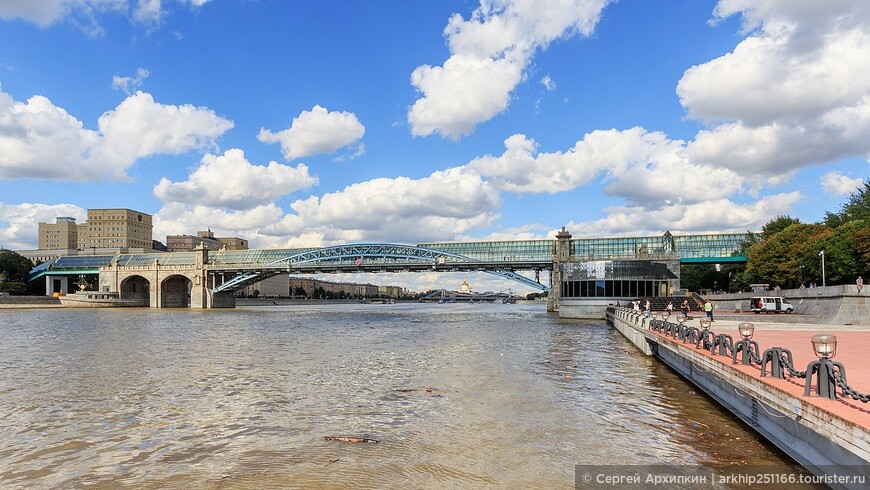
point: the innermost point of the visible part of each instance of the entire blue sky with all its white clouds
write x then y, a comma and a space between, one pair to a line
301, 124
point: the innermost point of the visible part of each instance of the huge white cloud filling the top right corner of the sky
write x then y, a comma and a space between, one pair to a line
795, 92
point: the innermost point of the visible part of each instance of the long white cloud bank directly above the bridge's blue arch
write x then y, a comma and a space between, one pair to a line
398, 210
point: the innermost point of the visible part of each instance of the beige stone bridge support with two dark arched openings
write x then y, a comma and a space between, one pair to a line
164, 285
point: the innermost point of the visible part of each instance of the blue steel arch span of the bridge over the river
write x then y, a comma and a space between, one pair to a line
372, 258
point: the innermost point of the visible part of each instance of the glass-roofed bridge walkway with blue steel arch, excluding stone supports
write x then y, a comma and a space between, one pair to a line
233, 269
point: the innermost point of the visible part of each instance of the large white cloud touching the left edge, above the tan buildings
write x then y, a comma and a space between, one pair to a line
39, 140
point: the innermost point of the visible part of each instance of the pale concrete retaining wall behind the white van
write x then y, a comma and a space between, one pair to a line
830, 305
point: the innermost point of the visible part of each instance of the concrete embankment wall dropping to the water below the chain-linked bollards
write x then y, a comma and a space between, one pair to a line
812, 436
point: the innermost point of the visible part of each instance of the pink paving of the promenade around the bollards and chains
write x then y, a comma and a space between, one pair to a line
853, 350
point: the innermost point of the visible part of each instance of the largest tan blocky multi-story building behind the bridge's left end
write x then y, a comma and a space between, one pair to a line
115, 228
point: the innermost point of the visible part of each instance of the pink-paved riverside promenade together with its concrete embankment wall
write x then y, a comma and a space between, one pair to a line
826, 436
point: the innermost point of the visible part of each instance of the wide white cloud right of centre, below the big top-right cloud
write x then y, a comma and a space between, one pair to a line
638, 165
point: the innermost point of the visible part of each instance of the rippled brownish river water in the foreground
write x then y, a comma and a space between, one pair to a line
457, 395
